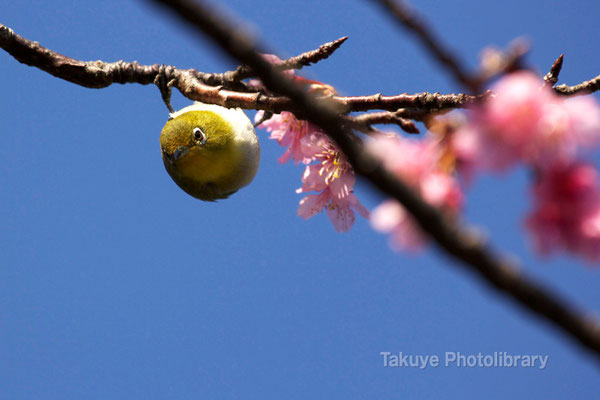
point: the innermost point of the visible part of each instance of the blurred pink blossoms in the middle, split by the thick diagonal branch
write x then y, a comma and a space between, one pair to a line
417, 163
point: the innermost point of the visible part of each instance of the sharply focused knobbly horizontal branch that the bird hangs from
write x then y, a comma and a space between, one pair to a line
195, 85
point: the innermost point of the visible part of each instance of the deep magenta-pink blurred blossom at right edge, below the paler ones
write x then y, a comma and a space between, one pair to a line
567, 211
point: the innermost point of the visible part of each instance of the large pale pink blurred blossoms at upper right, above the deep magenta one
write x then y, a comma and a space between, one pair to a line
526, 121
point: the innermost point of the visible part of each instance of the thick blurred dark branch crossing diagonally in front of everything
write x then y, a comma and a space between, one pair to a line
455, 240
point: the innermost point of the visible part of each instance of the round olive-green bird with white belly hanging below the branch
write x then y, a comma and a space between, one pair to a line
210, 151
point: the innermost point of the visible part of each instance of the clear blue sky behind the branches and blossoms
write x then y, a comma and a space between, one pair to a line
115, 284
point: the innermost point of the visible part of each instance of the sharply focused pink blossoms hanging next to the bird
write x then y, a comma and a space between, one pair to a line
331, 175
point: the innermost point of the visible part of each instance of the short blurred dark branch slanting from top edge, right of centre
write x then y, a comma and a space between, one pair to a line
433, 44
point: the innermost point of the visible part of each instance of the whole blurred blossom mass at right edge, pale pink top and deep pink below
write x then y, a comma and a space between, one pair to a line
526, 122
